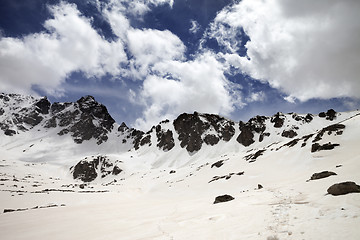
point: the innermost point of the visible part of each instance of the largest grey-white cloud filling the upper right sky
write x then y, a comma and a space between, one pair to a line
307, 49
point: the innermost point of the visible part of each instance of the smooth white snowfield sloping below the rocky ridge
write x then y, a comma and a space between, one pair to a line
39, 199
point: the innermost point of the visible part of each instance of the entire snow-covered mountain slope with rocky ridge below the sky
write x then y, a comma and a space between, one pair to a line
275, 176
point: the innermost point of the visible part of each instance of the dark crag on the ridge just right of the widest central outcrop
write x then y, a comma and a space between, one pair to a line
255, 124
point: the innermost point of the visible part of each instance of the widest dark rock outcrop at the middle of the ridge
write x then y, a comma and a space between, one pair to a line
191, 128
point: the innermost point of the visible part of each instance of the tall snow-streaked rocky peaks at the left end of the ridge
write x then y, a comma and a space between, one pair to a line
84, 119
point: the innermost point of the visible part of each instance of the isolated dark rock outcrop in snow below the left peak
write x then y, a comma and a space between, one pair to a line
88, 170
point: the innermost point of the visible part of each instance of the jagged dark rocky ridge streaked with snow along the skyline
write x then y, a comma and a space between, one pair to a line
87, 119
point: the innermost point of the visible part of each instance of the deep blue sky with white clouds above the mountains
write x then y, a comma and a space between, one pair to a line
148, 60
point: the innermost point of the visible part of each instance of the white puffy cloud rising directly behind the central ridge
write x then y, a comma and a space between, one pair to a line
198, 85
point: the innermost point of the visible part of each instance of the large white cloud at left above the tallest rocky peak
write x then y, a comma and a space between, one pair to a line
45, 59
